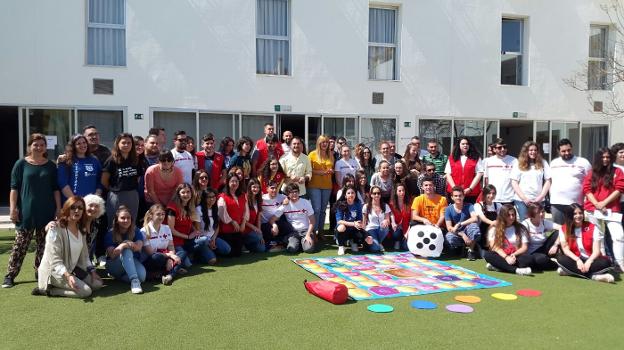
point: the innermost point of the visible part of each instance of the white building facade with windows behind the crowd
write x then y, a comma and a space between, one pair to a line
365, 70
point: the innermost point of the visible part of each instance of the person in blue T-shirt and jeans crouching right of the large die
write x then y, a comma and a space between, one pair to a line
461, 223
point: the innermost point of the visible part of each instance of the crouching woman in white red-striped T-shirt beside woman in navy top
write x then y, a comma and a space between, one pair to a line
160, 255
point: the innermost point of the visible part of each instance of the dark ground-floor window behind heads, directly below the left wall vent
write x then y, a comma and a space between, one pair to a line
108, 123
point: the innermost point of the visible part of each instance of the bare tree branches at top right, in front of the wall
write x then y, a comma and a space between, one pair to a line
601, 75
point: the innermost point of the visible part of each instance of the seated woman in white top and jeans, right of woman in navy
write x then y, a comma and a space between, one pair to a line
376, 220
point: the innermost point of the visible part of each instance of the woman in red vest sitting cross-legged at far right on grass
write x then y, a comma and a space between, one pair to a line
580, 243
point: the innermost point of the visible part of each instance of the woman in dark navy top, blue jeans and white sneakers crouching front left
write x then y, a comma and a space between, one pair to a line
123, 248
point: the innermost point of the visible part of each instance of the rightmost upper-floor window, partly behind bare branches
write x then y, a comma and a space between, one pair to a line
597, 68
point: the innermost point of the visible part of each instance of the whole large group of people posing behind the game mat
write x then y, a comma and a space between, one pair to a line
146, 212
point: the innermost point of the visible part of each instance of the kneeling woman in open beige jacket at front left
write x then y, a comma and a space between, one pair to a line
65, 268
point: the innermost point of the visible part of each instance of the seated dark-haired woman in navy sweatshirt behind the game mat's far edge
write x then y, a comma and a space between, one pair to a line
349, 219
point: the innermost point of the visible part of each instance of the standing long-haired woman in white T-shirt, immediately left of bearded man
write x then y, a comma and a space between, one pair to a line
530, 178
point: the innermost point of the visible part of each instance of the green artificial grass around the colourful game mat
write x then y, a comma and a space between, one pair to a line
258, 301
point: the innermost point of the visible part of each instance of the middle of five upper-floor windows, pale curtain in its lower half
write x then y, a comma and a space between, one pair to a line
382, 44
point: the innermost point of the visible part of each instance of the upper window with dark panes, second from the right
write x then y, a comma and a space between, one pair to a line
512, 51
